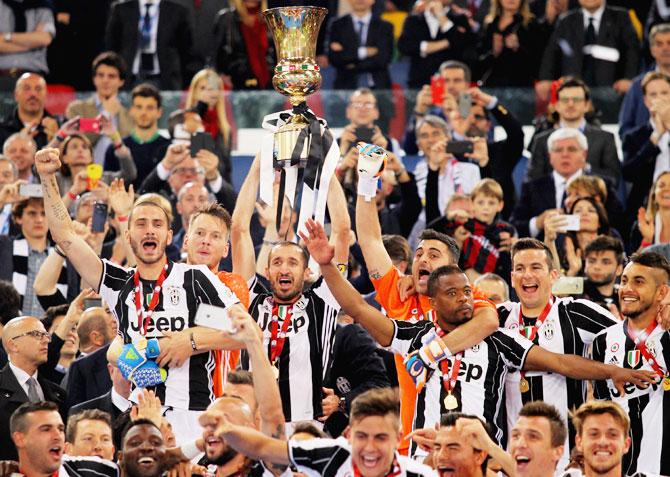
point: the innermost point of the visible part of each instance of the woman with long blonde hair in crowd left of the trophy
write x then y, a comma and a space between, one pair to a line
206, 89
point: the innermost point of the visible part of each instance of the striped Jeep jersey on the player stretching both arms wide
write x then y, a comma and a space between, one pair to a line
481, 378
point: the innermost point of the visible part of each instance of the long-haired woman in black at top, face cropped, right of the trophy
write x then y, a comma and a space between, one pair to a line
510, 45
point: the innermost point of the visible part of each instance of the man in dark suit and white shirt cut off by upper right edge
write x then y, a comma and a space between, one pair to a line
645, 150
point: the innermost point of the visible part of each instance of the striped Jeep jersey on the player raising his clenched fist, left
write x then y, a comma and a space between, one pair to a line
185, 287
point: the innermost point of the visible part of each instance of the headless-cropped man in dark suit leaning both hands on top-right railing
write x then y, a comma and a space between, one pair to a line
595, 42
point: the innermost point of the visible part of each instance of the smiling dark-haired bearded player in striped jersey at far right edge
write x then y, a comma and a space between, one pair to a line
639, 342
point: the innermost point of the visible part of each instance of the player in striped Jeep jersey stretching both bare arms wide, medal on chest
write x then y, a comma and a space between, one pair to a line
477, 389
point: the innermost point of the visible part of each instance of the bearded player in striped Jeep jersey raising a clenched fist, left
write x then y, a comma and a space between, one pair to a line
157, 296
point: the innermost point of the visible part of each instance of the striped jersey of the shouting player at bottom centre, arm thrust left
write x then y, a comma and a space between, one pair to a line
332, 458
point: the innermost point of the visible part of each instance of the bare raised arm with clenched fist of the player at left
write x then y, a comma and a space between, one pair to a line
84, 259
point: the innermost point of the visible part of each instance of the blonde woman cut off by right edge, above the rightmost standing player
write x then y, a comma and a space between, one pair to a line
653, 223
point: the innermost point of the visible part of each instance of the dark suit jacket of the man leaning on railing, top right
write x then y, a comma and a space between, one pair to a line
564, 53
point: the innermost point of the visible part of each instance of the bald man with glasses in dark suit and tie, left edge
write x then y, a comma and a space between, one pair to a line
26, 342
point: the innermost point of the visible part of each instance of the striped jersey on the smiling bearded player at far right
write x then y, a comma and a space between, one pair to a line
648, 409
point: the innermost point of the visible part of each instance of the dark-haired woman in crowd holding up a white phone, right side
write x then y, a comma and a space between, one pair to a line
568, 246
